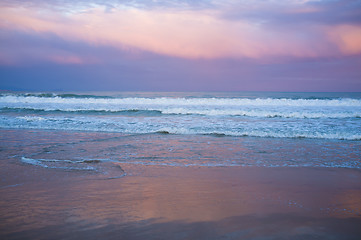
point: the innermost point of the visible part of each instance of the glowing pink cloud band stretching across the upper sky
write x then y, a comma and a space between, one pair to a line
185, 34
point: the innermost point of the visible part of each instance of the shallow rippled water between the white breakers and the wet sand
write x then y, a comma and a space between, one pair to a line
95, 152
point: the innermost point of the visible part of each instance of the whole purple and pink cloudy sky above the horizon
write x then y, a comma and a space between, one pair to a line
157, 45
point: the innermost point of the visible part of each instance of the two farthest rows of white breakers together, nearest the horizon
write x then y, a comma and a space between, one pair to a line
264, 108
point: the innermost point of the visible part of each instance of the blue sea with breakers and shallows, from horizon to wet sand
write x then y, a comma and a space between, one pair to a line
188, 129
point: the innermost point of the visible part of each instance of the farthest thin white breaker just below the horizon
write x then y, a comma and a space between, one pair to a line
84, 100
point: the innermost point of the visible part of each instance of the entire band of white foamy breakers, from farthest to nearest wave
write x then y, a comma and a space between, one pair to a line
260, 117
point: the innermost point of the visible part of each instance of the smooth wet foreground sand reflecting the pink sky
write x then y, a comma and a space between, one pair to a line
188, 201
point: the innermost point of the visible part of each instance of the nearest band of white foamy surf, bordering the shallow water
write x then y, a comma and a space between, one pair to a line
196, 125
